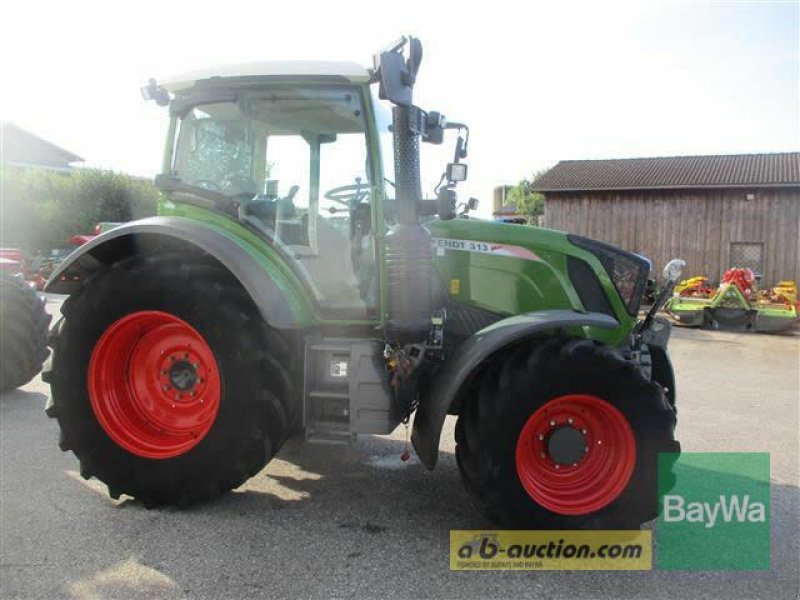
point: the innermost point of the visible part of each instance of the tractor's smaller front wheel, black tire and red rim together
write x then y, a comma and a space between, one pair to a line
565, 435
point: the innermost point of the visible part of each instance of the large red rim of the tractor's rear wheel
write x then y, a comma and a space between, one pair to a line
154, 384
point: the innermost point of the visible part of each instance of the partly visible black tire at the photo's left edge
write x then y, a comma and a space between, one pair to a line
23, 333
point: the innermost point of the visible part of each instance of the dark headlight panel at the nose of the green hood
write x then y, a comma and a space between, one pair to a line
627, 271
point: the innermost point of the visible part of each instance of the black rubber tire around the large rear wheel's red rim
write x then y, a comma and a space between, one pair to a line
255, 404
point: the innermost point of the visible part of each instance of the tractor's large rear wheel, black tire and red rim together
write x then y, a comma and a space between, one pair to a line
166, 383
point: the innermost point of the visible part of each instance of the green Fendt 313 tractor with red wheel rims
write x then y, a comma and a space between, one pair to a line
296, 280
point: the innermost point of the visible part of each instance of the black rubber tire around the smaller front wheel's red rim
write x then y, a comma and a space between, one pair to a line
518, 382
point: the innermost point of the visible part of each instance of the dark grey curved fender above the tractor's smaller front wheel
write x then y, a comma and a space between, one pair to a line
450, 379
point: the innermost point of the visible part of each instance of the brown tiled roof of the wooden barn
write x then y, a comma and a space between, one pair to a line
726, 171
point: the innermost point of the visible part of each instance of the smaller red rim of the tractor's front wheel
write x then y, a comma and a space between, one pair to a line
598, 477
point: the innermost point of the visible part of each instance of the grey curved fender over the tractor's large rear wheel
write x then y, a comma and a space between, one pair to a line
277, 295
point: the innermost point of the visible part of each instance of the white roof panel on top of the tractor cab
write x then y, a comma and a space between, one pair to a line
350, 71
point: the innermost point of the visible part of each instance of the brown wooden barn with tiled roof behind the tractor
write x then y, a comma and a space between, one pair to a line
715, 212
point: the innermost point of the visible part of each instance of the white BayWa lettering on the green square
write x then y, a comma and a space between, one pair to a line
728, 509
